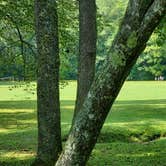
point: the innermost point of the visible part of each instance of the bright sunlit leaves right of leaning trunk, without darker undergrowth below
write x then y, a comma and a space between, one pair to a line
154, 59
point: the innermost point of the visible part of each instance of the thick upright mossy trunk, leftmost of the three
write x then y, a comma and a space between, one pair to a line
48, 107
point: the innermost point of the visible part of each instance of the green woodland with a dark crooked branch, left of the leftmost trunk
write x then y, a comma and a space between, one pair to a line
17, 39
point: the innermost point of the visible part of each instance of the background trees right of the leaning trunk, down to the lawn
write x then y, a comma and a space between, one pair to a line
151, 63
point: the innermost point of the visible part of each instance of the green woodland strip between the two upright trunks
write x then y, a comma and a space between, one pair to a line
68, 38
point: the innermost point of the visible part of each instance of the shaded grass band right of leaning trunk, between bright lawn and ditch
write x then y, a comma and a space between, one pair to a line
138, 111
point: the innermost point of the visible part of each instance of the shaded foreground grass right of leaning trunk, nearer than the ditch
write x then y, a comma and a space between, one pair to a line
133, 154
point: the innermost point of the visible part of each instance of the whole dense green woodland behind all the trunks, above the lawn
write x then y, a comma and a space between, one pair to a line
18, 43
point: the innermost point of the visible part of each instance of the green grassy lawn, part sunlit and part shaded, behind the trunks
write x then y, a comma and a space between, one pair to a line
134, 133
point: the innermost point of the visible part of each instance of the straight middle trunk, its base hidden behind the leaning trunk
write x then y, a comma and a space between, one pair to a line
87, 50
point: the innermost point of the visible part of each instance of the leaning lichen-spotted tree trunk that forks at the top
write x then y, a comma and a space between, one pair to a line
140, 20
